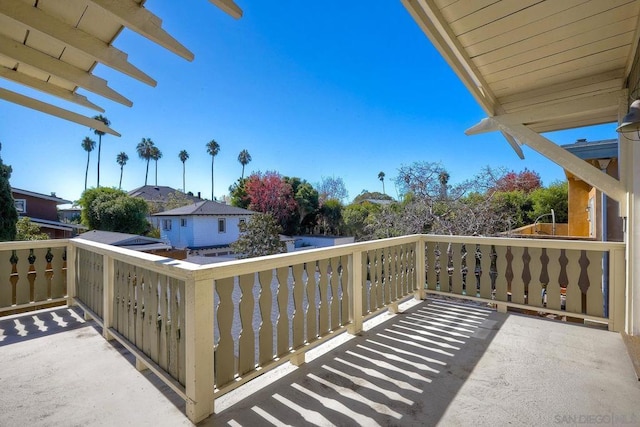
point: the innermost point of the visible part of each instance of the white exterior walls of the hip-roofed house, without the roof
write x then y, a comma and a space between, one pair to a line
200, 231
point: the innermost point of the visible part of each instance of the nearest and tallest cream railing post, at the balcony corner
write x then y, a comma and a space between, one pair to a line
198, 310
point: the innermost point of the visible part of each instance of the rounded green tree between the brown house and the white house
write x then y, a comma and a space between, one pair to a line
110, 209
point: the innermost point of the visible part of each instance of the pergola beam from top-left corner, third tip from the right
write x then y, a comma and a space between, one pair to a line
35, 19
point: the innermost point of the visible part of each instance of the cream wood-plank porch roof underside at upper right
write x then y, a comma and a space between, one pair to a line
549, 65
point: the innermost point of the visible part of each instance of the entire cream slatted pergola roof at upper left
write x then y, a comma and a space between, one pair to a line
54, 47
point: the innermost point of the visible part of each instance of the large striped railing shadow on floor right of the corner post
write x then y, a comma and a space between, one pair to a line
405, 371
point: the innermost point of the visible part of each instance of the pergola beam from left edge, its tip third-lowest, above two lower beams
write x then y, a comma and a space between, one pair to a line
25, 54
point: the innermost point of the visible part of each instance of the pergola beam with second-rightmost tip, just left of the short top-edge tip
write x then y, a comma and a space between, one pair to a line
135, 17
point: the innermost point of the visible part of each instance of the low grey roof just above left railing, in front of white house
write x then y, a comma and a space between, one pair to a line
133, 242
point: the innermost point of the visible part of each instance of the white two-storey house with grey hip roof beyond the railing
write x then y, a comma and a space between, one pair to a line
205, 226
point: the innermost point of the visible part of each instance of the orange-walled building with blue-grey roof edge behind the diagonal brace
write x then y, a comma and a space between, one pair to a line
587, 205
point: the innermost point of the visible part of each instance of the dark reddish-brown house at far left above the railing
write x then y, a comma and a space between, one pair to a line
42, 209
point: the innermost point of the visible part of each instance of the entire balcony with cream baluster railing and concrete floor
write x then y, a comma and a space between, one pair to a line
263, 338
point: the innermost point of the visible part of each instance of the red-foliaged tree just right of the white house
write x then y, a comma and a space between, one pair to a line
270, 193
